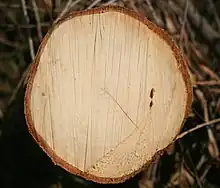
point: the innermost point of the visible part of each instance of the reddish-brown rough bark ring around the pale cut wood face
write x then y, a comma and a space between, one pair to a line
182, 65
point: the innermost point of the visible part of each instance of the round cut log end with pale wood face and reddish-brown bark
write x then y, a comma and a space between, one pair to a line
108, 92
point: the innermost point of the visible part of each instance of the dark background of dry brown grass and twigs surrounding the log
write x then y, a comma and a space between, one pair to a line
193, 161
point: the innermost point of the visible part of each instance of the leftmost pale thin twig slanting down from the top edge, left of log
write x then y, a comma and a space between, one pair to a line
30, 41
